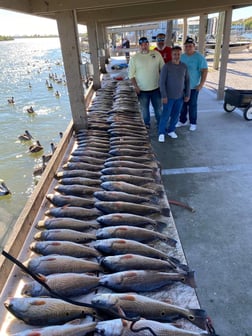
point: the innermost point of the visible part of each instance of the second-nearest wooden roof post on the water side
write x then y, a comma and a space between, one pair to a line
93, 48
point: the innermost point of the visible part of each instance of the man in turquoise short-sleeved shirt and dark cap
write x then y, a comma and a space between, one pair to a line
197, 67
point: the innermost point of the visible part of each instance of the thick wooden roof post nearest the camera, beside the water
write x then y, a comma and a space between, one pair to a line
69, 40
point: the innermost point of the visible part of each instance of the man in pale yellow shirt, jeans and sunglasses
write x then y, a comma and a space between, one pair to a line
144, 71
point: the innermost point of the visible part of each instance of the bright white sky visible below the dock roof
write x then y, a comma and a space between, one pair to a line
13, 23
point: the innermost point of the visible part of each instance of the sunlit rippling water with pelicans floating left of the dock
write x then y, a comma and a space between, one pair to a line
25, 65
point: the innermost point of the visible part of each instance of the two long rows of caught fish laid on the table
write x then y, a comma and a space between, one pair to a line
104, 238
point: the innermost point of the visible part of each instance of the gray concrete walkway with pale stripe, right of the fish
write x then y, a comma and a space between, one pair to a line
211, 170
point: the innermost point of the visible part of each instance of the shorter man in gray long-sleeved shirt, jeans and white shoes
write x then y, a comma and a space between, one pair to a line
175, 90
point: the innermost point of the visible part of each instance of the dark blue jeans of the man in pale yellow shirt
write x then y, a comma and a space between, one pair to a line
145, 97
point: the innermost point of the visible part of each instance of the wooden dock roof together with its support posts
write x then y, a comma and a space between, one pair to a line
99, 15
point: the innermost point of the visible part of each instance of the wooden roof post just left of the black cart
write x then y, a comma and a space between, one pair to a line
224, 53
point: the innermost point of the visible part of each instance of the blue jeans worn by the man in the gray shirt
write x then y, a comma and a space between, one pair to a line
171, 111
